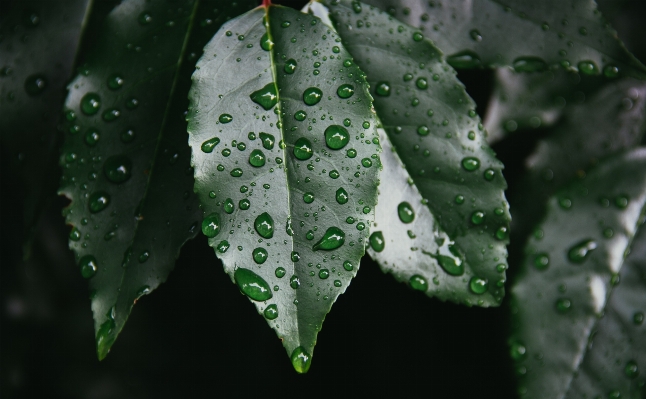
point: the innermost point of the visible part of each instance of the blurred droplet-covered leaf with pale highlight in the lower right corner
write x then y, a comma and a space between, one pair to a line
570, 348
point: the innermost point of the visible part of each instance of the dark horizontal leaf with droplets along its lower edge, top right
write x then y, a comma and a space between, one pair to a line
528, 35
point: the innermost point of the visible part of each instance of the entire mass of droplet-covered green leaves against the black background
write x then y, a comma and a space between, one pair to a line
313, 136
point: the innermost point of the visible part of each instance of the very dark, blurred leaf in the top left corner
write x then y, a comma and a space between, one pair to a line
38, 47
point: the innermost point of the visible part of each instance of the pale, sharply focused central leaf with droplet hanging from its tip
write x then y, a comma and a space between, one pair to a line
286, 163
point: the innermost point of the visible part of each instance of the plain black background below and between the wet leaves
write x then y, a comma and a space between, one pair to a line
198, 336
